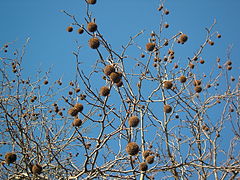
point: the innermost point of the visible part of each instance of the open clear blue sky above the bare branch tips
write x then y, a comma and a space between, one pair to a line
51, 45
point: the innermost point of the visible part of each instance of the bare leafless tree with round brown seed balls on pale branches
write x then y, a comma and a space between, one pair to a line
132, 116
